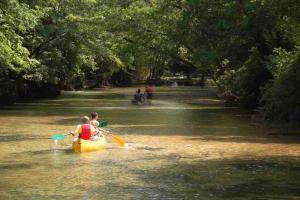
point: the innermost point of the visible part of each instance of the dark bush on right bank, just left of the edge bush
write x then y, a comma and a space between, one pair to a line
245, 83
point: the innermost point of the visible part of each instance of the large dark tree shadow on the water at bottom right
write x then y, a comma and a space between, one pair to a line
264, 178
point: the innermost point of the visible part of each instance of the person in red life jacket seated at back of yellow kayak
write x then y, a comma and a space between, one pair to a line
85, 130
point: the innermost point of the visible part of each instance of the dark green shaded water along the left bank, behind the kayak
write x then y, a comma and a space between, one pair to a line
66, 104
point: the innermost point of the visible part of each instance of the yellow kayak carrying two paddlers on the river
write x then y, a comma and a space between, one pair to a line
80, 145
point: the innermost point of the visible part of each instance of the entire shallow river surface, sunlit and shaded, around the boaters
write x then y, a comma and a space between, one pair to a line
185, 145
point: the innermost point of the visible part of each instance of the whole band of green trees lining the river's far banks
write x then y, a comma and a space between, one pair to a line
248, 48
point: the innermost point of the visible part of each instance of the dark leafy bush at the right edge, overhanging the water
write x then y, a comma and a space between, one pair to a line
281, 99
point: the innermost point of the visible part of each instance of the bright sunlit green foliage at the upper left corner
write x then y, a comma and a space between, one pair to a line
15, 19
